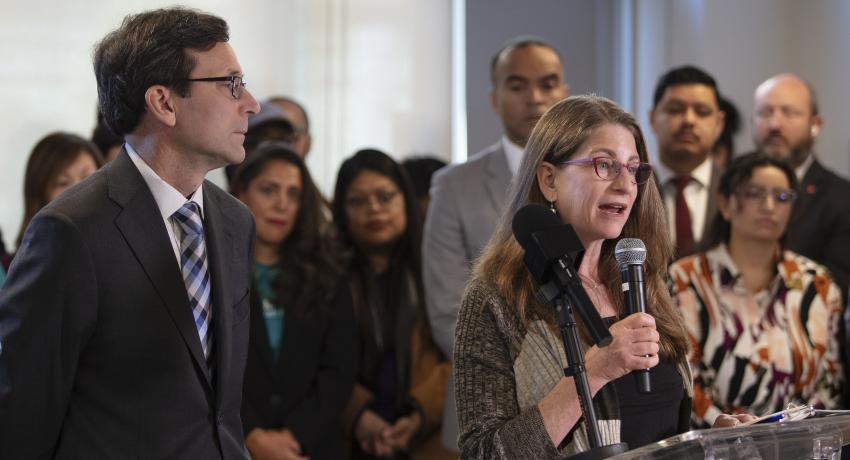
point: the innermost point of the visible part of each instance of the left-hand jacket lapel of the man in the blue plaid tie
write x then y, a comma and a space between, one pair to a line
140, 222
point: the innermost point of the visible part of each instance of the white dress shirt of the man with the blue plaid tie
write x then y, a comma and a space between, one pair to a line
168, 199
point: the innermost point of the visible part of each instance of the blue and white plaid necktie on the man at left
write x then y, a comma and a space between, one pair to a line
193, 264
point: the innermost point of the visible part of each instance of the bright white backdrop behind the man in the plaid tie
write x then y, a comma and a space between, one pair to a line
370, 72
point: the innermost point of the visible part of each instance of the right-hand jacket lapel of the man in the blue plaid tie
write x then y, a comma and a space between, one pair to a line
219, 241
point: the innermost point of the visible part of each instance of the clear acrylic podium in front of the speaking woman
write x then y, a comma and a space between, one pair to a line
813, 438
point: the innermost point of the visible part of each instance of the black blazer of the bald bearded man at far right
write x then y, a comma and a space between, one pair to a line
820, 222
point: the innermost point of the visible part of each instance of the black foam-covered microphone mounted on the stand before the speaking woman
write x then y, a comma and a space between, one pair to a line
550, 247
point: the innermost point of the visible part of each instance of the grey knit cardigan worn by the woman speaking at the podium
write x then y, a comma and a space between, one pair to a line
503, 369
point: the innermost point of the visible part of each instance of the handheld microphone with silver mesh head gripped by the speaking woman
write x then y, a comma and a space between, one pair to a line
630, 254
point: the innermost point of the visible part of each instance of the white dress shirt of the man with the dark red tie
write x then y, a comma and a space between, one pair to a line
696, 195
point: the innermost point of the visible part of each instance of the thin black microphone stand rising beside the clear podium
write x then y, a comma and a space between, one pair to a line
575, 369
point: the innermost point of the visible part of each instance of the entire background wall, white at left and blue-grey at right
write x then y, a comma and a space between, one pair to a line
378, 72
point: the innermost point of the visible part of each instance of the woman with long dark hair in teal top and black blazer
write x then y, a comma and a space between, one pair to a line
301, 359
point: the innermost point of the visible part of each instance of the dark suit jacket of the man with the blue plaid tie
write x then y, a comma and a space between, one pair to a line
100, 354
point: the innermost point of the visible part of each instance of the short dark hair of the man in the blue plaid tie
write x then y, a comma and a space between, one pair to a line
150, 49
